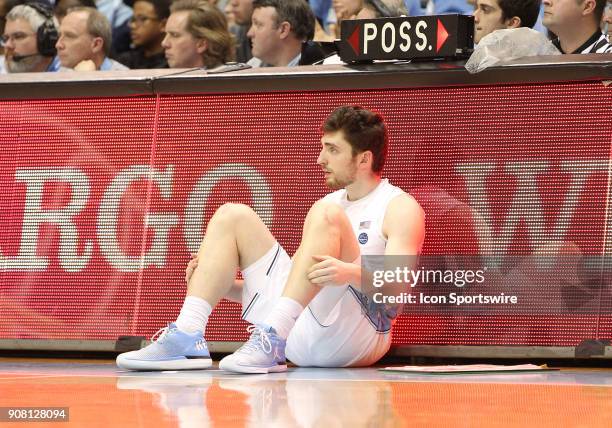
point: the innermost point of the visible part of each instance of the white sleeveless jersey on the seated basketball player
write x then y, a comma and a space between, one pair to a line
367, 215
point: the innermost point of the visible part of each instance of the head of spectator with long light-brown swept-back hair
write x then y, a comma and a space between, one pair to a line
197, 36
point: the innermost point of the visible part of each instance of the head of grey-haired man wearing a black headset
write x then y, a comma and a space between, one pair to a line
29, 39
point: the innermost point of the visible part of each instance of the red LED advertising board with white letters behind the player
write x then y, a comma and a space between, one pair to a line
104, 199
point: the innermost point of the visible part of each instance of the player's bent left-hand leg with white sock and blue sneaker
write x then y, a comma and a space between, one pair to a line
235, 237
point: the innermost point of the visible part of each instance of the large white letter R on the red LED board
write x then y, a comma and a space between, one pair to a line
34, 216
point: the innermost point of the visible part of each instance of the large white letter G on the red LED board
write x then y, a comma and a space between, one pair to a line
160, 223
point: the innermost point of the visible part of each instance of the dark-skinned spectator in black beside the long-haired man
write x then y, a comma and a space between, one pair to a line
147, 30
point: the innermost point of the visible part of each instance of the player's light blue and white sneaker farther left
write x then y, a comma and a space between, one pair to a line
172, 350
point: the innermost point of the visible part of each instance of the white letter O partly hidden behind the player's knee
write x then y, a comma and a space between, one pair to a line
261, 196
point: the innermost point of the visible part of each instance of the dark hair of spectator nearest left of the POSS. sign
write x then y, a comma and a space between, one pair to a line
296, 12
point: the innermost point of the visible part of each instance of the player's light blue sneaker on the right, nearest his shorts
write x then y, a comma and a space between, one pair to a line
264, 352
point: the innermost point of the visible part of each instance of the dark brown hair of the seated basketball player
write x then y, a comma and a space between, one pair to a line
363, 129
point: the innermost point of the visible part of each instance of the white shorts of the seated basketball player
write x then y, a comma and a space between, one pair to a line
333, 331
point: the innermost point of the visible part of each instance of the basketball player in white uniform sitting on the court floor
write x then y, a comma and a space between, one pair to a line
310, 308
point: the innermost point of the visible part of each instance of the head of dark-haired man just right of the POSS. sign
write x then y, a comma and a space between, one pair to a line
491, 15
